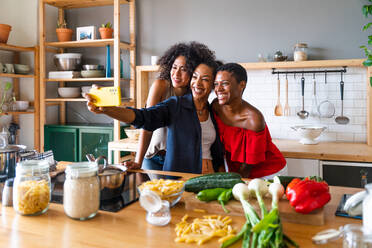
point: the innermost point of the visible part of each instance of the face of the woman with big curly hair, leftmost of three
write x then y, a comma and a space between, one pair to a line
179, 75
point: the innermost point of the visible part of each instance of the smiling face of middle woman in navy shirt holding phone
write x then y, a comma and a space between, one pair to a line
201, 82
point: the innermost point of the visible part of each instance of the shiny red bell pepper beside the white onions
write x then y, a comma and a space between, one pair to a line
308, 194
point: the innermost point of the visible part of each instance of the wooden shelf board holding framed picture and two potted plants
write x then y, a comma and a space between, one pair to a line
88, 43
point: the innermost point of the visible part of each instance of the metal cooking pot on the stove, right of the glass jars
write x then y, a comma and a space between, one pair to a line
111, 177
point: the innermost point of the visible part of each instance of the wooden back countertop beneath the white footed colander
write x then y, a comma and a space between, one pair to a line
354, 152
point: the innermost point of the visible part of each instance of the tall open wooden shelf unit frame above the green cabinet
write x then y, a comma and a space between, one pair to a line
114, 42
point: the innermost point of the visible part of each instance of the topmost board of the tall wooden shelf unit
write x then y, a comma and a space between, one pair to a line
71, 4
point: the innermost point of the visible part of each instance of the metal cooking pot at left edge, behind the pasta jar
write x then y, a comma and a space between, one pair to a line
9, 157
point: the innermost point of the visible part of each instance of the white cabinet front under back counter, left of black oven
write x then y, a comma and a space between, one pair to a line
302, 167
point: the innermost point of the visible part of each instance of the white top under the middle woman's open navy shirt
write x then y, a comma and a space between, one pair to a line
208, 137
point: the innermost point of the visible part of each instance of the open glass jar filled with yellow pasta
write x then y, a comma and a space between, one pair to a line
31, 190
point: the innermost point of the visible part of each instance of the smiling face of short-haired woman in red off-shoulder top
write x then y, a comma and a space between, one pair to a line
227, 88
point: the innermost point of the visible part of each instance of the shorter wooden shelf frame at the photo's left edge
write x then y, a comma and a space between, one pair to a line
34, 109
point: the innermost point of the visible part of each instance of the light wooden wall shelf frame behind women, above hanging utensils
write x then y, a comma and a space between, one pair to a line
144, 70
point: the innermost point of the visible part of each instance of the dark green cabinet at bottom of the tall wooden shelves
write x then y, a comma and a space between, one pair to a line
73, 142
